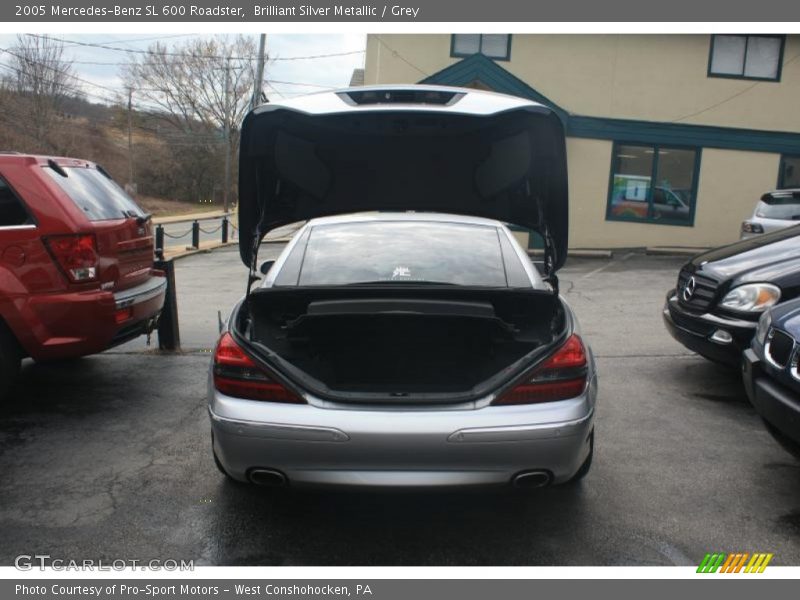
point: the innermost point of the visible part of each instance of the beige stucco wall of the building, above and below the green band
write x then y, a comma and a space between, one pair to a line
648, 77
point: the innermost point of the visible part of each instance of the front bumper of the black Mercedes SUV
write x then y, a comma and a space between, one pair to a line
694, 331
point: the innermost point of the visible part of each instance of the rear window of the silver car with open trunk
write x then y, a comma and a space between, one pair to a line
400, 252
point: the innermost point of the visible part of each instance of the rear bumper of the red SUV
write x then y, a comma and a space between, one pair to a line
79, 323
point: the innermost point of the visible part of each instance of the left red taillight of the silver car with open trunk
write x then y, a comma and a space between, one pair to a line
235, 374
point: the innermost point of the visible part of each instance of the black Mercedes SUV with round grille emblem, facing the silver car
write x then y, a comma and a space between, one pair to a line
721, 293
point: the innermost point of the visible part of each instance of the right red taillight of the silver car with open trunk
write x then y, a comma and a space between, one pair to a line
561, 376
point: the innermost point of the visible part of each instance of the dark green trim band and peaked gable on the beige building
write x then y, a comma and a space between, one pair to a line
480, 68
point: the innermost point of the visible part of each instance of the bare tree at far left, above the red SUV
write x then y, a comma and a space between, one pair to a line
40, 81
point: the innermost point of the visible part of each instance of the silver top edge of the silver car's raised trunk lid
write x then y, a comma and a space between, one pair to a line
461, 100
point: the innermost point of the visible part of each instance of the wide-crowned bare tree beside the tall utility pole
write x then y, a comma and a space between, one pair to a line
202, 90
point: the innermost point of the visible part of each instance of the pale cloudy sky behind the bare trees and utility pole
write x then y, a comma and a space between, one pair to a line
317, 74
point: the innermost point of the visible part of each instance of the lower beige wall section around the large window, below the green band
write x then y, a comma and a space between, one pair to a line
729, 185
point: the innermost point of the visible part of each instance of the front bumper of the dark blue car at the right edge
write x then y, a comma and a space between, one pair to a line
777, 404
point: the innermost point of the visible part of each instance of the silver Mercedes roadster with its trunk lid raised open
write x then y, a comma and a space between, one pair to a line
414, 344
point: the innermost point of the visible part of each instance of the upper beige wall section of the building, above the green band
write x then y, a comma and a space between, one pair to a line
650, 77
